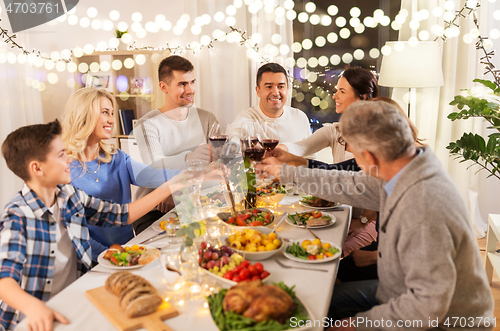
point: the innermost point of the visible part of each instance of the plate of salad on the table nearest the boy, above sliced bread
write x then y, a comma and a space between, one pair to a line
123, 260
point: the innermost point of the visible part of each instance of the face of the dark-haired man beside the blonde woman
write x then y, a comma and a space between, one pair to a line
180, 90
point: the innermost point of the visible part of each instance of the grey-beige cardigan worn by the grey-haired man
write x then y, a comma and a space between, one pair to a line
429, 265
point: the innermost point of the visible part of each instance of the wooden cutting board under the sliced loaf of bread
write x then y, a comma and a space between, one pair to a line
108, 304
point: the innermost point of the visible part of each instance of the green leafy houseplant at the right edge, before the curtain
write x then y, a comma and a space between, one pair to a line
473, 147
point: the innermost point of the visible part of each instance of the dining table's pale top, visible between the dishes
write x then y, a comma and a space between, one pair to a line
312, 287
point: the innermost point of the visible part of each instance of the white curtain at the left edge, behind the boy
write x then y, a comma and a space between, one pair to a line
20, 105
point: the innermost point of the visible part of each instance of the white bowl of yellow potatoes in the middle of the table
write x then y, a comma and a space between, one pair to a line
254, 244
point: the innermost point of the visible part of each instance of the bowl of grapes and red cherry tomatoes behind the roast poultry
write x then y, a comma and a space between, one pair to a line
223, 264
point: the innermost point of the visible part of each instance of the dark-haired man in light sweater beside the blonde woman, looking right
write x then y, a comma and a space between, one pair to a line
169, 136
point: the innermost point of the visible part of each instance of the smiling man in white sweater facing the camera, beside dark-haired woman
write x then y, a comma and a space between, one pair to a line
272, 89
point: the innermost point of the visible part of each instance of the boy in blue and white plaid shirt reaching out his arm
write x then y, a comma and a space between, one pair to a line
44, 239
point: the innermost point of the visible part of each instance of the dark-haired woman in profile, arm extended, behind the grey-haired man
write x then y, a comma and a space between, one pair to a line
355, 84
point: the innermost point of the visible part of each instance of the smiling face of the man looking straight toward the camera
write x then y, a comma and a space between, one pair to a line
272, 91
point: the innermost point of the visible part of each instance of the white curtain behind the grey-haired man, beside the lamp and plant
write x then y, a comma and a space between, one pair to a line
460, 66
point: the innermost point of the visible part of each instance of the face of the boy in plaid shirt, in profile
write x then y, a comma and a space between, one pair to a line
55, 169
